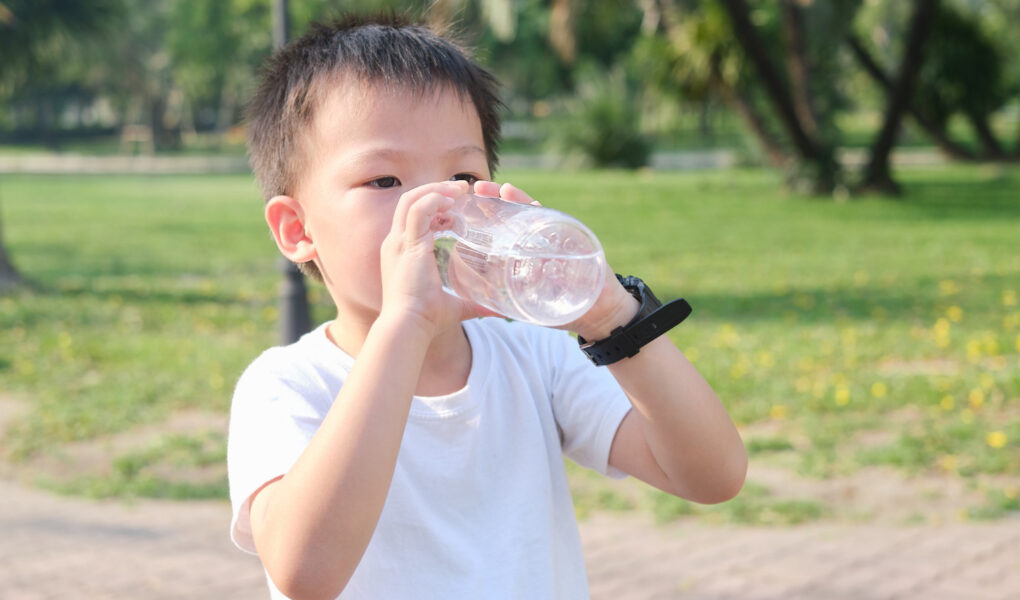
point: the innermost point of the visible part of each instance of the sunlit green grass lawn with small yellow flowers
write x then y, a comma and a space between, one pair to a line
843, 337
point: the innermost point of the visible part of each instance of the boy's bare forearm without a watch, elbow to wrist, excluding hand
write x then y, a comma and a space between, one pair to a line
313, 526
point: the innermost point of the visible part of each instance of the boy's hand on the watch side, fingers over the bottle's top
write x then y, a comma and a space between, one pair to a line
616, 307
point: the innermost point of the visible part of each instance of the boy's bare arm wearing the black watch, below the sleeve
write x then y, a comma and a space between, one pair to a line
679, 436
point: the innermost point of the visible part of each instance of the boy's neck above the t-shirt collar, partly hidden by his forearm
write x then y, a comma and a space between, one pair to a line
446, 367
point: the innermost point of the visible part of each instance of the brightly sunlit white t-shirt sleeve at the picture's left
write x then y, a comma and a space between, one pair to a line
273, 420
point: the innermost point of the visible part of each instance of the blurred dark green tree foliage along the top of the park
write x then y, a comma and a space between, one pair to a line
790, 71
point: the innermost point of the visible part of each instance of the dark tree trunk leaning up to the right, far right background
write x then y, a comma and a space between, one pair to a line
878, 176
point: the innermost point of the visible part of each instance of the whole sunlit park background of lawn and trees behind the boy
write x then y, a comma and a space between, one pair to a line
834, 186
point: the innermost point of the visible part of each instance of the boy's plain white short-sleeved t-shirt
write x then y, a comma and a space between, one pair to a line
479, 507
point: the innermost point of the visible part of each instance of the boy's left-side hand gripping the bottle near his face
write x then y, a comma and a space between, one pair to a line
412, 286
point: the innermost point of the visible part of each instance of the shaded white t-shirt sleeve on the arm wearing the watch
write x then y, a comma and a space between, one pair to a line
589, 406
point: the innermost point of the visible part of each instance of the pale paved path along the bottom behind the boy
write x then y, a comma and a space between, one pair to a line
58, 547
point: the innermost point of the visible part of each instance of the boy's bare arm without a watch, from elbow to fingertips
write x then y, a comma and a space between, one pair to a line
313, 526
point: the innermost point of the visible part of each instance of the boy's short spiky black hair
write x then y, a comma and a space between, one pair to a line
386, 49
